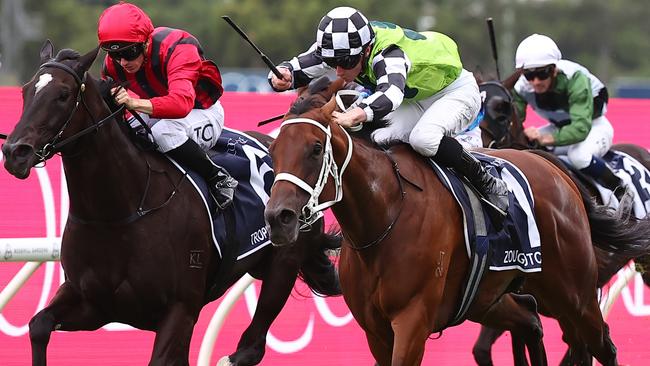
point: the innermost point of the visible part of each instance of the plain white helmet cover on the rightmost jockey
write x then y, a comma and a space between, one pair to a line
535, 51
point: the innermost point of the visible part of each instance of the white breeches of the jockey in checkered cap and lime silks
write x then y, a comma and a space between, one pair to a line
449, 112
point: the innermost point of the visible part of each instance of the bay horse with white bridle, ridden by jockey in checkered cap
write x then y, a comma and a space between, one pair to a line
403, 260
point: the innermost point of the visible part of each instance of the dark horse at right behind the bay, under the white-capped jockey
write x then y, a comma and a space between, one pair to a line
501, 129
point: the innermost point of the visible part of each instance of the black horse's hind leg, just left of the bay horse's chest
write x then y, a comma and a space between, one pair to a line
276, 288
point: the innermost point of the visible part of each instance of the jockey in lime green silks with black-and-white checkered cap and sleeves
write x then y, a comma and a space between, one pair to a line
416, 82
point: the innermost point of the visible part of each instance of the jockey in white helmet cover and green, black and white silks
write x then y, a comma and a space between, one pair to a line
573, 100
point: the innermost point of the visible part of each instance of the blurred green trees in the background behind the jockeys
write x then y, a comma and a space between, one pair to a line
610, 37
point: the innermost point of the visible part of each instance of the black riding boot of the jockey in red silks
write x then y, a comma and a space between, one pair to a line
222, 185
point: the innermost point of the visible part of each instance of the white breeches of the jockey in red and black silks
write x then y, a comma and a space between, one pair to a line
201, 125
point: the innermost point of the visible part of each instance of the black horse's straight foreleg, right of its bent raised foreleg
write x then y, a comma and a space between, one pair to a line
173, 335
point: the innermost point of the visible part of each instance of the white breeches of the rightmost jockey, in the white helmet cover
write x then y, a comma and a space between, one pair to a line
597, 143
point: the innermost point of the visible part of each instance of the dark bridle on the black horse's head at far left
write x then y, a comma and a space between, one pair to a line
54, 146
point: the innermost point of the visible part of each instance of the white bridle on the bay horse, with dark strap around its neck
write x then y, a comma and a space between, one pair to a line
312, 210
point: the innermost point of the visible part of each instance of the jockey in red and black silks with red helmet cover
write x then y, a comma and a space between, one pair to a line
171, 85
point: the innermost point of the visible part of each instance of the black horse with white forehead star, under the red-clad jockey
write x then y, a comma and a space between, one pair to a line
136, 225
